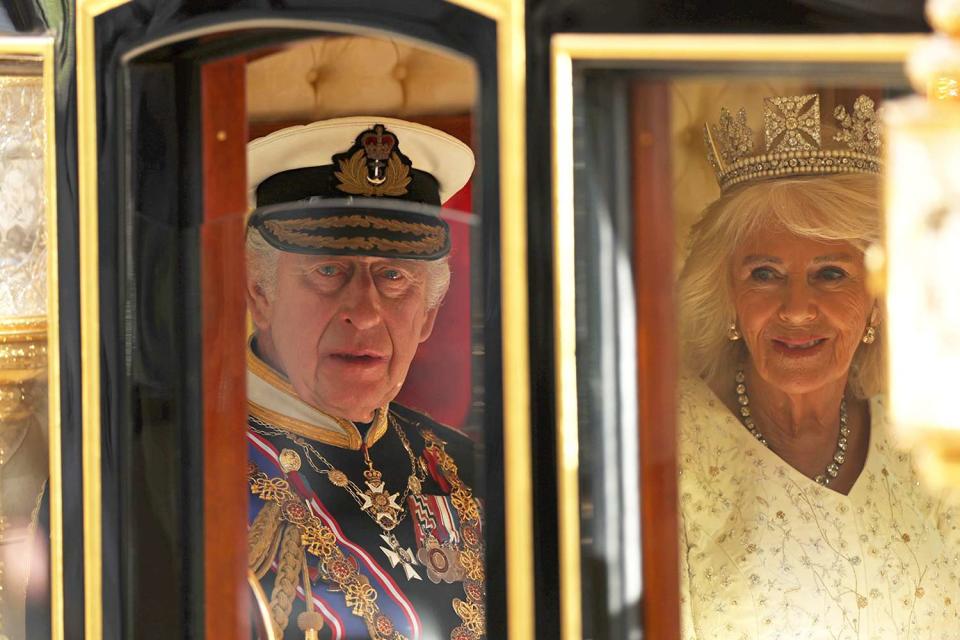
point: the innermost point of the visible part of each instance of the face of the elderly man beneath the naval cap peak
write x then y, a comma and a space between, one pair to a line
343, 329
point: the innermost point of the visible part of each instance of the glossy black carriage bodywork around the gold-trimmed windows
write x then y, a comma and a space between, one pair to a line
150, 215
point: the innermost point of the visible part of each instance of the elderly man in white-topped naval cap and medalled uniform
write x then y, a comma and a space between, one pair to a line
363, 520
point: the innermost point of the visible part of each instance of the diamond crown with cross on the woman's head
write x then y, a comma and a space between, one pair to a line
793, 144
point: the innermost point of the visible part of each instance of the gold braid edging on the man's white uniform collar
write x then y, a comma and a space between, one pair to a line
348, 436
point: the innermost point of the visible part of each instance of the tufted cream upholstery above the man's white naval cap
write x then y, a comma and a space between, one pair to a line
348, 75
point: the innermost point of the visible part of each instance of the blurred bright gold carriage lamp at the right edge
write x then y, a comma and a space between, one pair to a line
922, 270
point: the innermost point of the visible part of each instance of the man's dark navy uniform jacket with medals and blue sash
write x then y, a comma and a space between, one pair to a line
433, 606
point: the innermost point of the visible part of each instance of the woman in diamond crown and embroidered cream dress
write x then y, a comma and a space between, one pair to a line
799, 517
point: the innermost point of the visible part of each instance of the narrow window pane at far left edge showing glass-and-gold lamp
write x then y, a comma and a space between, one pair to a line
23, 357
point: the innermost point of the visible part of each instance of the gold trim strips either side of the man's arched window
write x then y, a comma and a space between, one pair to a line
509, 17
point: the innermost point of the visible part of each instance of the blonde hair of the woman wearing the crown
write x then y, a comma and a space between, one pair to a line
831, 208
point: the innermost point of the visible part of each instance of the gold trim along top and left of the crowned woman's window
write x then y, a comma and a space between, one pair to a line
566, 51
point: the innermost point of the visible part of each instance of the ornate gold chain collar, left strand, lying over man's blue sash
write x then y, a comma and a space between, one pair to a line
320, 541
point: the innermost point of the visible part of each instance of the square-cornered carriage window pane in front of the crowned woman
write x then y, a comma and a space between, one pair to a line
749, 235
